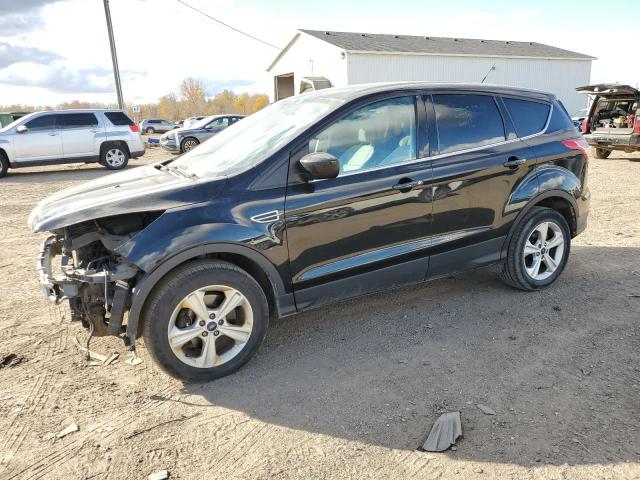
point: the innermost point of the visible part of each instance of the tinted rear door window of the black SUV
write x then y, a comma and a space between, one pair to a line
467, 121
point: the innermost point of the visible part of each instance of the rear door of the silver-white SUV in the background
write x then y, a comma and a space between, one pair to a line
81, 135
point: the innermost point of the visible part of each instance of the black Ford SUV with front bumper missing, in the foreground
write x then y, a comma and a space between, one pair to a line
319, 197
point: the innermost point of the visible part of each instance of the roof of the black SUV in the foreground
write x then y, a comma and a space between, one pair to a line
356, 91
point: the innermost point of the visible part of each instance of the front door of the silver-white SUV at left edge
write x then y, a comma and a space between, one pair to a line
41, 142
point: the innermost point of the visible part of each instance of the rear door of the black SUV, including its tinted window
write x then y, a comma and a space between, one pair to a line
478, 165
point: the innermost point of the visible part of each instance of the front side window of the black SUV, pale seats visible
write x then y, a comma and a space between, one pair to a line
378, 135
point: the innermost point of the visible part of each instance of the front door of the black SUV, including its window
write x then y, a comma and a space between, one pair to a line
368, 228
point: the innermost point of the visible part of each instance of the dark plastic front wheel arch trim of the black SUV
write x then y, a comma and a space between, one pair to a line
255, 264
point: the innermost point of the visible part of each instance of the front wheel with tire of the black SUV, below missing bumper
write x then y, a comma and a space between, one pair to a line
168, 316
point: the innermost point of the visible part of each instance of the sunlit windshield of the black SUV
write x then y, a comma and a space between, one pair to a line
247, 143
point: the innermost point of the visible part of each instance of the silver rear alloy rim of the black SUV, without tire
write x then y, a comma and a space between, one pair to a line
543, 250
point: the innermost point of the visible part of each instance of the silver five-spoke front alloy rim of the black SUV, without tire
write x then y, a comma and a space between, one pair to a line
210, 326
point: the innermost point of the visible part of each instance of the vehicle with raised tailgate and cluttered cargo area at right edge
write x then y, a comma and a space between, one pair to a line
613, 121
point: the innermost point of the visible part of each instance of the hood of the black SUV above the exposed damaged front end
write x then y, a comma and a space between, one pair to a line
141, 189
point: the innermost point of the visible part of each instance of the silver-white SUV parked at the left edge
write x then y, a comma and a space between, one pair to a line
109, 137
